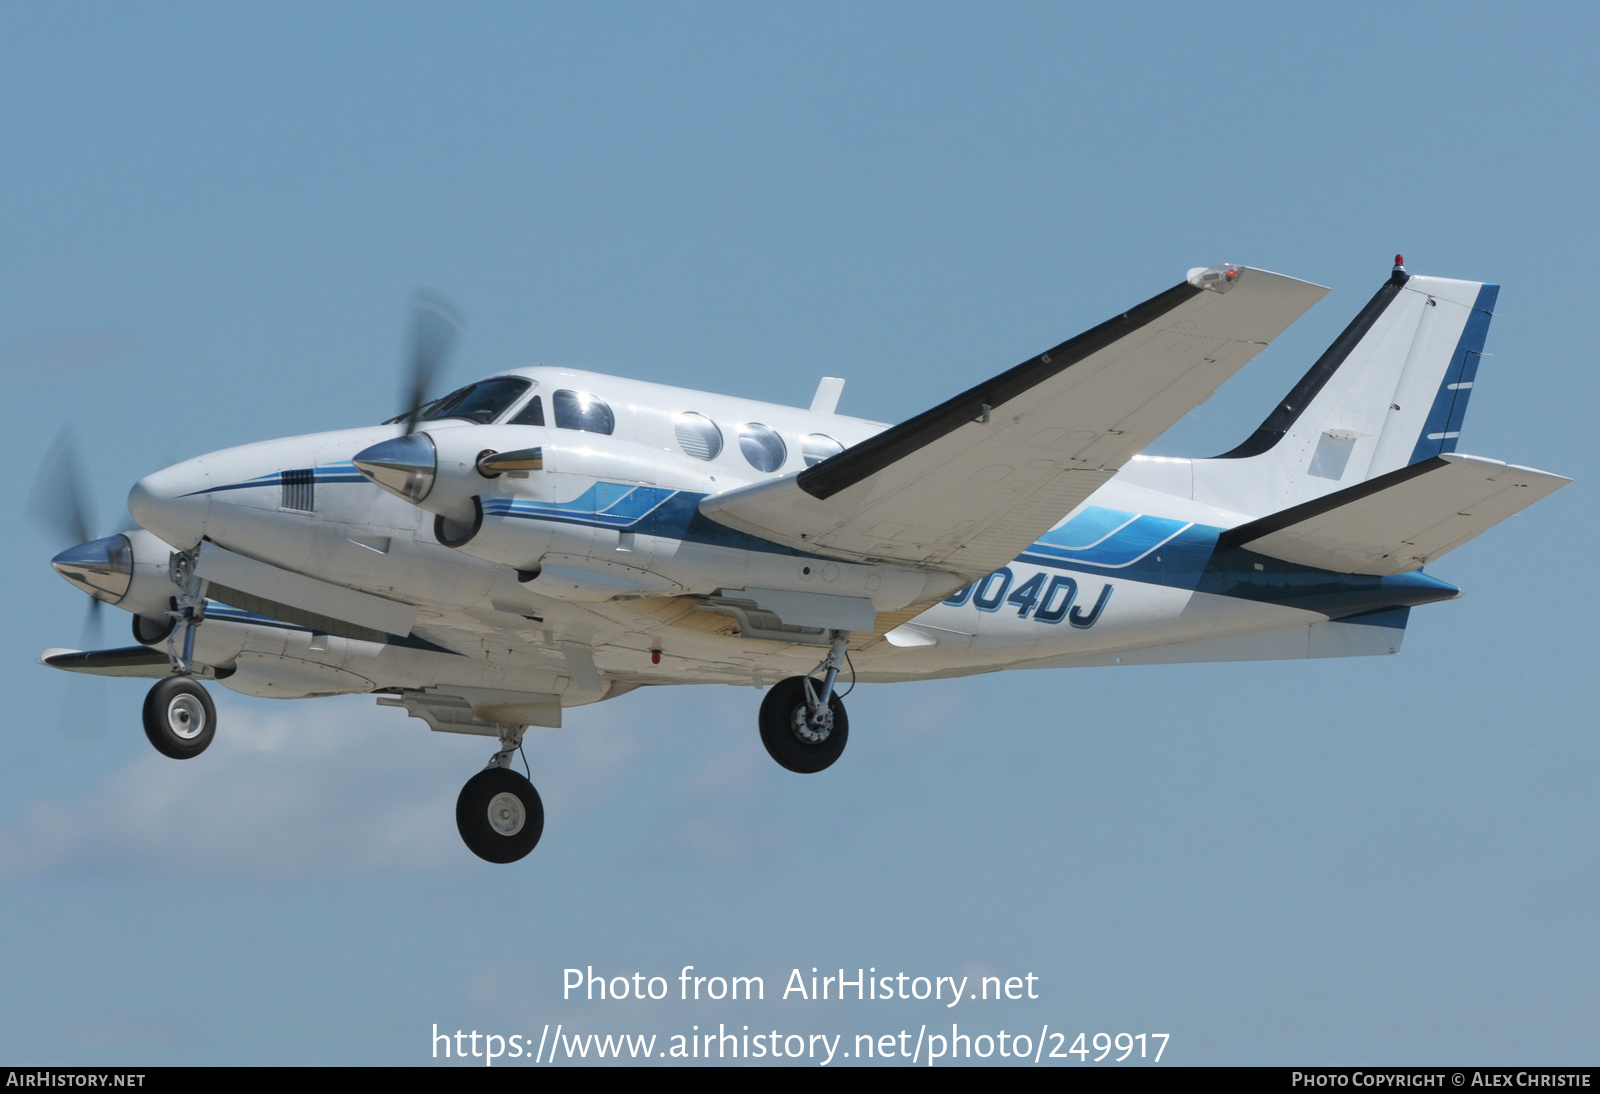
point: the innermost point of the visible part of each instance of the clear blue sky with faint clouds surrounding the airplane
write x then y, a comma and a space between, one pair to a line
215, 218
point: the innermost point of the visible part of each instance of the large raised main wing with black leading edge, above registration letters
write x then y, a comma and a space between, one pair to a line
967, 485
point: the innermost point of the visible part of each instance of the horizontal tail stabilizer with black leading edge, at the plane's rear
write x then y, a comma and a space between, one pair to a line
1398, 522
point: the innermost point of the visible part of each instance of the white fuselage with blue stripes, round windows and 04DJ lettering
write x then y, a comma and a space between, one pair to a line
628, 565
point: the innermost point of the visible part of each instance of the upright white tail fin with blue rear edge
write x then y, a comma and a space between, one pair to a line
1390, 393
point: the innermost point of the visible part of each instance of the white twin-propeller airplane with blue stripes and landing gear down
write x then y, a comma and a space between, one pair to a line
546, 538
